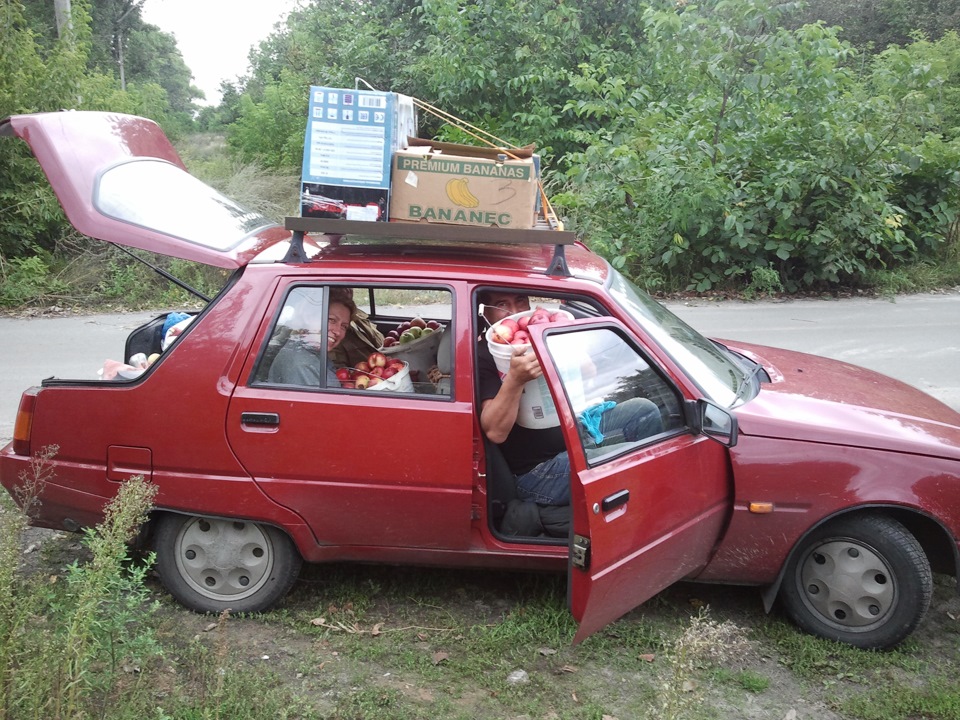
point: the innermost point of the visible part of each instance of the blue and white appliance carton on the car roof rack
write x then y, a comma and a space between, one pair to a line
350, 140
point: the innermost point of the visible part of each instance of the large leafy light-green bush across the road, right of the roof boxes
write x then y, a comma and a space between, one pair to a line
760, 148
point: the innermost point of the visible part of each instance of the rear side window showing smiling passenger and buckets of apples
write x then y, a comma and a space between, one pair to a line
395, 339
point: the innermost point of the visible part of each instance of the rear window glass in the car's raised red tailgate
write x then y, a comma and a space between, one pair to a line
161, 197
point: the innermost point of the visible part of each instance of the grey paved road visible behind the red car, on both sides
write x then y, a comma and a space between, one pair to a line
913, 338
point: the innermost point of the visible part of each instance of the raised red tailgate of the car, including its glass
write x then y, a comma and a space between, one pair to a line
120, 180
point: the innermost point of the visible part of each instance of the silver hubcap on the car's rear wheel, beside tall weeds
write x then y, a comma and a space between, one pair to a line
223, 559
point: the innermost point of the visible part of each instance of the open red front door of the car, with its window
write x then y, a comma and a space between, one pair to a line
647, 511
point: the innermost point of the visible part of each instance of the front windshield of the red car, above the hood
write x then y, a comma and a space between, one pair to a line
714, 371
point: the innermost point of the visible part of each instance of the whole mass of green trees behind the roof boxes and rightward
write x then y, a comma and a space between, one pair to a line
695, 146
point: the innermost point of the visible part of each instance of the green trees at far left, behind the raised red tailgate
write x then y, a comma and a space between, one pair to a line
41, 72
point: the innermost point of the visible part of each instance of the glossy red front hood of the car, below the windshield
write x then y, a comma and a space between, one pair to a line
816, 399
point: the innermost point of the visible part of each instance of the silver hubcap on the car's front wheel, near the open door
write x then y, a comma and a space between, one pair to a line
848, 585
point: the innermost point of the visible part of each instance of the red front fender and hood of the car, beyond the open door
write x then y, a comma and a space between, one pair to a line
821, 439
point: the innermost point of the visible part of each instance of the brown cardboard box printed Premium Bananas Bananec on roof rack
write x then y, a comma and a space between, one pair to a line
464, 185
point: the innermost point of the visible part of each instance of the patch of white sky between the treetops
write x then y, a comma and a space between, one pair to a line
215, 36
